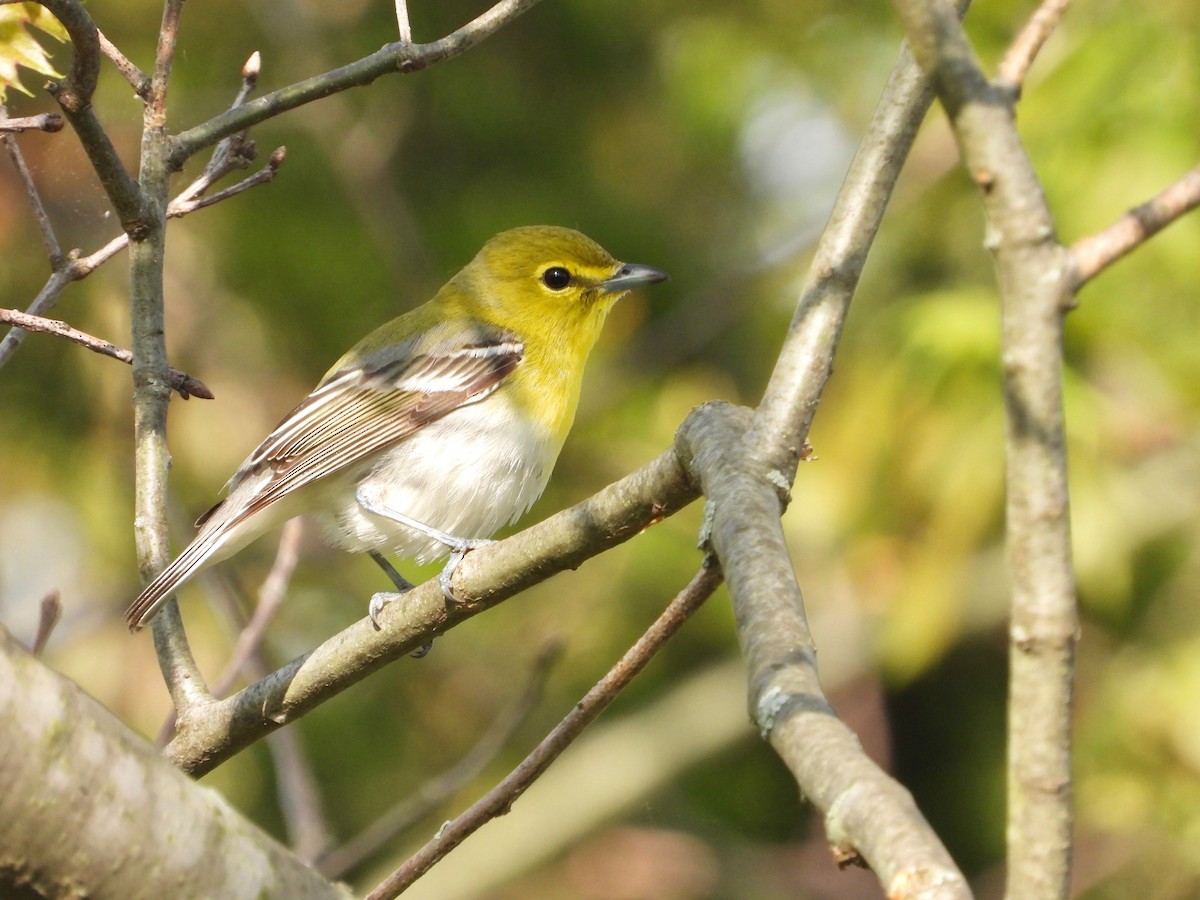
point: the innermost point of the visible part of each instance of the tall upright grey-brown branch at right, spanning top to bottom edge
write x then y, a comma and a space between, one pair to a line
1035, 284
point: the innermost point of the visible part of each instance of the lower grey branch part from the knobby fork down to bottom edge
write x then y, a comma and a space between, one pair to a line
867, 813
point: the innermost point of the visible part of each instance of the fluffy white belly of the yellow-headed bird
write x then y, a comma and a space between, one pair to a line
469, 475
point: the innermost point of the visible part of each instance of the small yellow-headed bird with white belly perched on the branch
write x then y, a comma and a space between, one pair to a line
439, 428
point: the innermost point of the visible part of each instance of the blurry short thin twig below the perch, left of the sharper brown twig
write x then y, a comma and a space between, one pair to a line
436, 791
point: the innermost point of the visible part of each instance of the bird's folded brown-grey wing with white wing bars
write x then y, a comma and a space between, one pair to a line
361, 411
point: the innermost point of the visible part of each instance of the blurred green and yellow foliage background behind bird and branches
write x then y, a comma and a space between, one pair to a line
710, 140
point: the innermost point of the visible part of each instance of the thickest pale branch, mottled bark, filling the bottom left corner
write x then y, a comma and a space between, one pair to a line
177, 838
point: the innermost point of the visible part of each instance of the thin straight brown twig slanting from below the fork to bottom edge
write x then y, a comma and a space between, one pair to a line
500, 800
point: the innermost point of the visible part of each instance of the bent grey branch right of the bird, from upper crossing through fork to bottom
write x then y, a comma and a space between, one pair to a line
867, 813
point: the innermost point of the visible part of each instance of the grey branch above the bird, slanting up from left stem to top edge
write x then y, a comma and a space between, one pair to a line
398, 57
